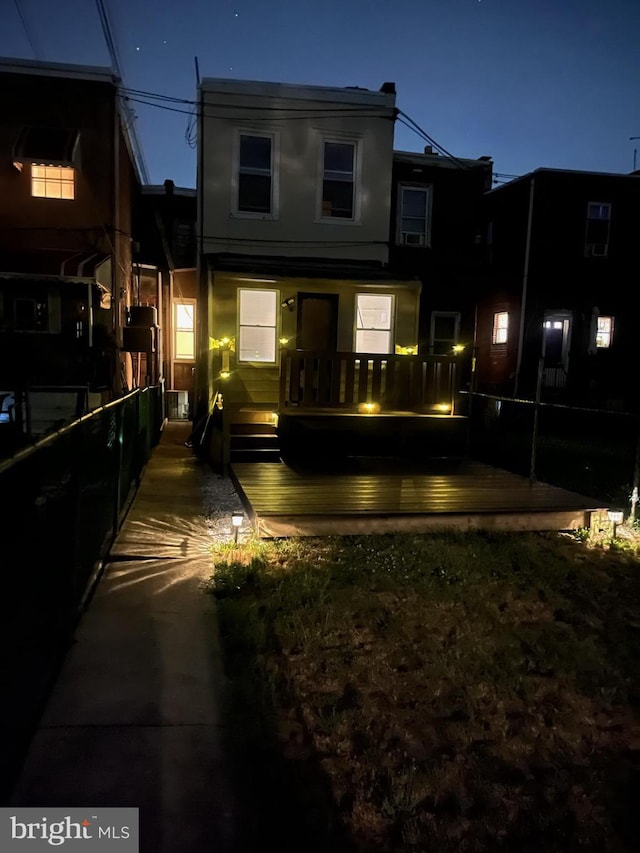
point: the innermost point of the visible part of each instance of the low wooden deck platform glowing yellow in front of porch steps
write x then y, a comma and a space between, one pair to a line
384, 497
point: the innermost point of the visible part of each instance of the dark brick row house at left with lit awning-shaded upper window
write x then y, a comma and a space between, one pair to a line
68, 177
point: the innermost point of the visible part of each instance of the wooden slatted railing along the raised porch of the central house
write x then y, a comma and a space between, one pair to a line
345, 380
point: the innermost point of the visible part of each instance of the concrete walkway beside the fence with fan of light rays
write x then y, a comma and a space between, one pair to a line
136, 716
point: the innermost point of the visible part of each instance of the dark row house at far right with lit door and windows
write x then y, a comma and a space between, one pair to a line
557, 297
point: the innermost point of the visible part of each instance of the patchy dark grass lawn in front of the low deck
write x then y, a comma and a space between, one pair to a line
474, 692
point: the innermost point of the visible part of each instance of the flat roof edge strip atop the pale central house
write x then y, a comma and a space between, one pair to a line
296, 91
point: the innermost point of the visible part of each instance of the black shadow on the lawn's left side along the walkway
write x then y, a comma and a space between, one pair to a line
286, 803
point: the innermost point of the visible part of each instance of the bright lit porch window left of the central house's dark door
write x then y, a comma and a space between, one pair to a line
257, 313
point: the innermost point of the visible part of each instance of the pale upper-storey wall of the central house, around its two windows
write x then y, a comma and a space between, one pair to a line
300, 118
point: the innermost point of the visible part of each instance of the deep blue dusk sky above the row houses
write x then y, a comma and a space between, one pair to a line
530, 82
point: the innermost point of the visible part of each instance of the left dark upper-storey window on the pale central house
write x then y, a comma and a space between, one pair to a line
255, 174
